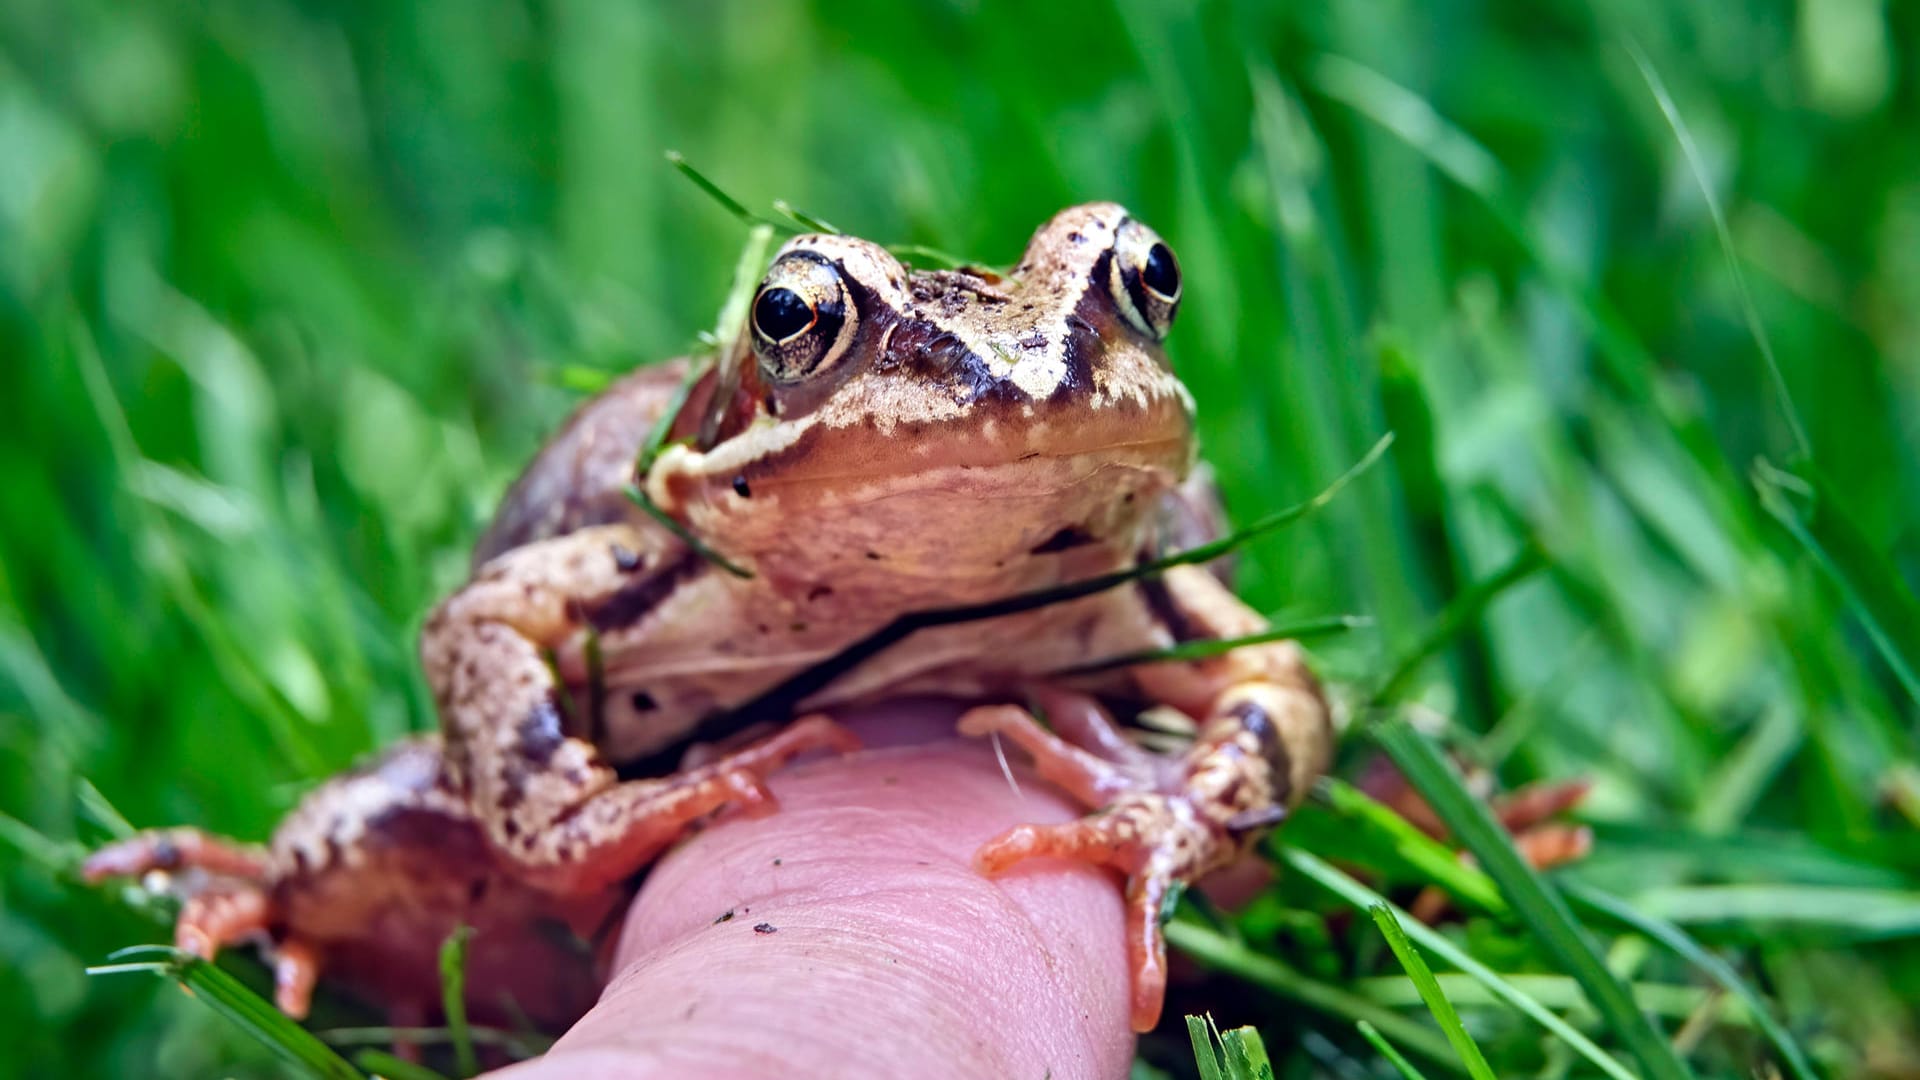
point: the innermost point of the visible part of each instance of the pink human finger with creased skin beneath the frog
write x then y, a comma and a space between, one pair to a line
892, 954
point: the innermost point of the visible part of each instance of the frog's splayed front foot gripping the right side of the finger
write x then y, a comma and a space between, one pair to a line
1164, 822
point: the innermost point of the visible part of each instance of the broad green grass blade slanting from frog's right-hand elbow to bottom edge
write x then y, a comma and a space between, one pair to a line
1537, 904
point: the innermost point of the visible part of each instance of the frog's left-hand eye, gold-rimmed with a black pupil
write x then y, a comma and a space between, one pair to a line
802, 318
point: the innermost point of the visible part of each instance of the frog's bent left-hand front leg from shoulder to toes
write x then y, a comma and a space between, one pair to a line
546, 797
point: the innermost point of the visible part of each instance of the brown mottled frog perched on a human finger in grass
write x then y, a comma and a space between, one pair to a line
706, 539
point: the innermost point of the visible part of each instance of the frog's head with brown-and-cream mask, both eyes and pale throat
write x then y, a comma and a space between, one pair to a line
959, 430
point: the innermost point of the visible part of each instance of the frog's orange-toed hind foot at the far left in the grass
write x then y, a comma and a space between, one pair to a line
226, 900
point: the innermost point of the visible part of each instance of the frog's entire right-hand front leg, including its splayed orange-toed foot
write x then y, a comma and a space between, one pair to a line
1262, 739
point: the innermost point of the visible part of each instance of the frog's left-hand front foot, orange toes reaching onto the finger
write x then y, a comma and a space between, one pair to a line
604, 837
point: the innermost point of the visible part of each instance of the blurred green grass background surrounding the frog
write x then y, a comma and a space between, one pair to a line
291, 289
